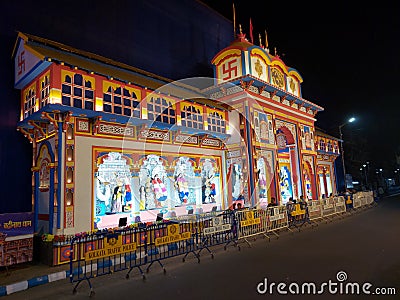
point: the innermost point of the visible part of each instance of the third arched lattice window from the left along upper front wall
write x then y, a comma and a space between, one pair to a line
161, 110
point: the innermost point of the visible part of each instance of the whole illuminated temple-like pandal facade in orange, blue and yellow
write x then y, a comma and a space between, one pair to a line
112, 145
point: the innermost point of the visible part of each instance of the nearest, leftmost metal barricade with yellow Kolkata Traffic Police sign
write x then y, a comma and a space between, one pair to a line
103, 253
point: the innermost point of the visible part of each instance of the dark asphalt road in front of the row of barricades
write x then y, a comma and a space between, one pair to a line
366, 246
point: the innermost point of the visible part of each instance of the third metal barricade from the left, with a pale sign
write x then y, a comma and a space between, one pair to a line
216, 229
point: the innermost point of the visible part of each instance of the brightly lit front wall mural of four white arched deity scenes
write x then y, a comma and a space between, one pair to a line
140, 186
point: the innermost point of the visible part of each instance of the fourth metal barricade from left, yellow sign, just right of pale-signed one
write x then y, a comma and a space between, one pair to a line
251, 222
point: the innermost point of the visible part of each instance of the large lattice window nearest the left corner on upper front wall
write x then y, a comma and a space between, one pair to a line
77, 92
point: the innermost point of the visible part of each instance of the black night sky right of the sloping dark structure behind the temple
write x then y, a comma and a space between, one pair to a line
348, 56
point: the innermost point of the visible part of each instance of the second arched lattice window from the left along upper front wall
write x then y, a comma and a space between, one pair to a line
121, 101
